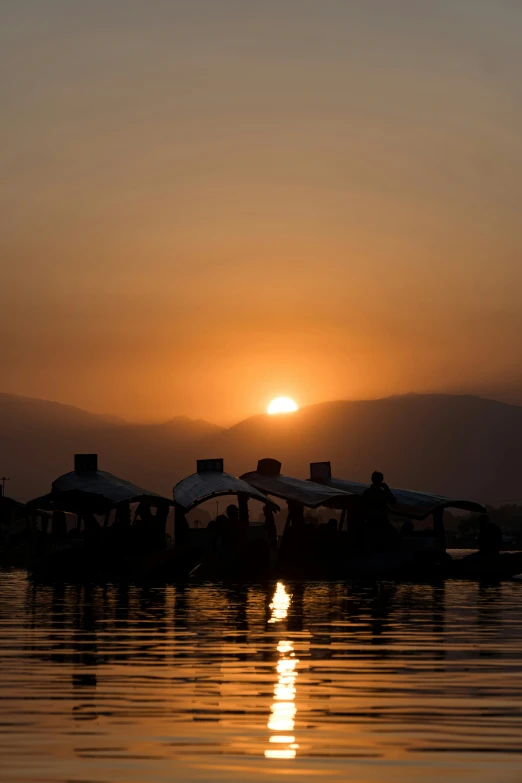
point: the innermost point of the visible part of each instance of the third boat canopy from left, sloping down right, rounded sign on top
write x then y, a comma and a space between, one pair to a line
269, 479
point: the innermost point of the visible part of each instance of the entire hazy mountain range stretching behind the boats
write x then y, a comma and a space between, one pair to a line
450, 444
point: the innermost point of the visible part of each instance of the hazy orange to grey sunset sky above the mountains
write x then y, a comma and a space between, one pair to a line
205, 204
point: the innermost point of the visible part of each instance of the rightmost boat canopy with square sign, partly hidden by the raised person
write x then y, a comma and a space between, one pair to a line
417, 505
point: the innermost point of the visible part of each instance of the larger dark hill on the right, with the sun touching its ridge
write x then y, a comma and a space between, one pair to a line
459, 445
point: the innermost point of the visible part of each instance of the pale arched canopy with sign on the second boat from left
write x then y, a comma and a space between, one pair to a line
210, 481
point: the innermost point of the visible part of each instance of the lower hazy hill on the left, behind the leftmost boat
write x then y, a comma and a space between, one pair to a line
38, 439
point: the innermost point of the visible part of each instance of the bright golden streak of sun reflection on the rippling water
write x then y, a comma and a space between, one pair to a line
283, 710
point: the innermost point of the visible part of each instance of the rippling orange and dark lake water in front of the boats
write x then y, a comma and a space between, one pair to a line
317, 682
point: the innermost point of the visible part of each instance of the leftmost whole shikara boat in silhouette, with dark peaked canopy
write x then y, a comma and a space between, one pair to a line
125, 548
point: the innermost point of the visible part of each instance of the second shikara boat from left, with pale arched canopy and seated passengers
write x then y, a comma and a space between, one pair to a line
245, 551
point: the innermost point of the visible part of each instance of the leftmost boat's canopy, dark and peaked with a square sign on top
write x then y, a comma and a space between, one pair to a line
86, 486
